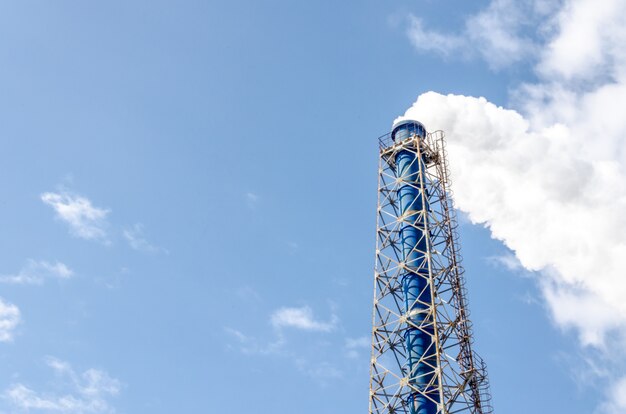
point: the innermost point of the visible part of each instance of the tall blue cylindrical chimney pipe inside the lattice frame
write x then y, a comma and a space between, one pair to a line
415, 280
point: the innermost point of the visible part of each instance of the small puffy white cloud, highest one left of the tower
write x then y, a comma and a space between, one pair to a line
84, 219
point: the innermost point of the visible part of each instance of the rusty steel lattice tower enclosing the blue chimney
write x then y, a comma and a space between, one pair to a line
422, 359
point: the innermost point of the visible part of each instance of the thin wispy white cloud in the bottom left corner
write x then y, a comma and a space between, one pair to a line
87, 392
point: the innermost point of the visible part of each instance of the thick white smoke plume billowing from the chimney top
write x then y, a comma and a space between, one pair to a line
551, 202
